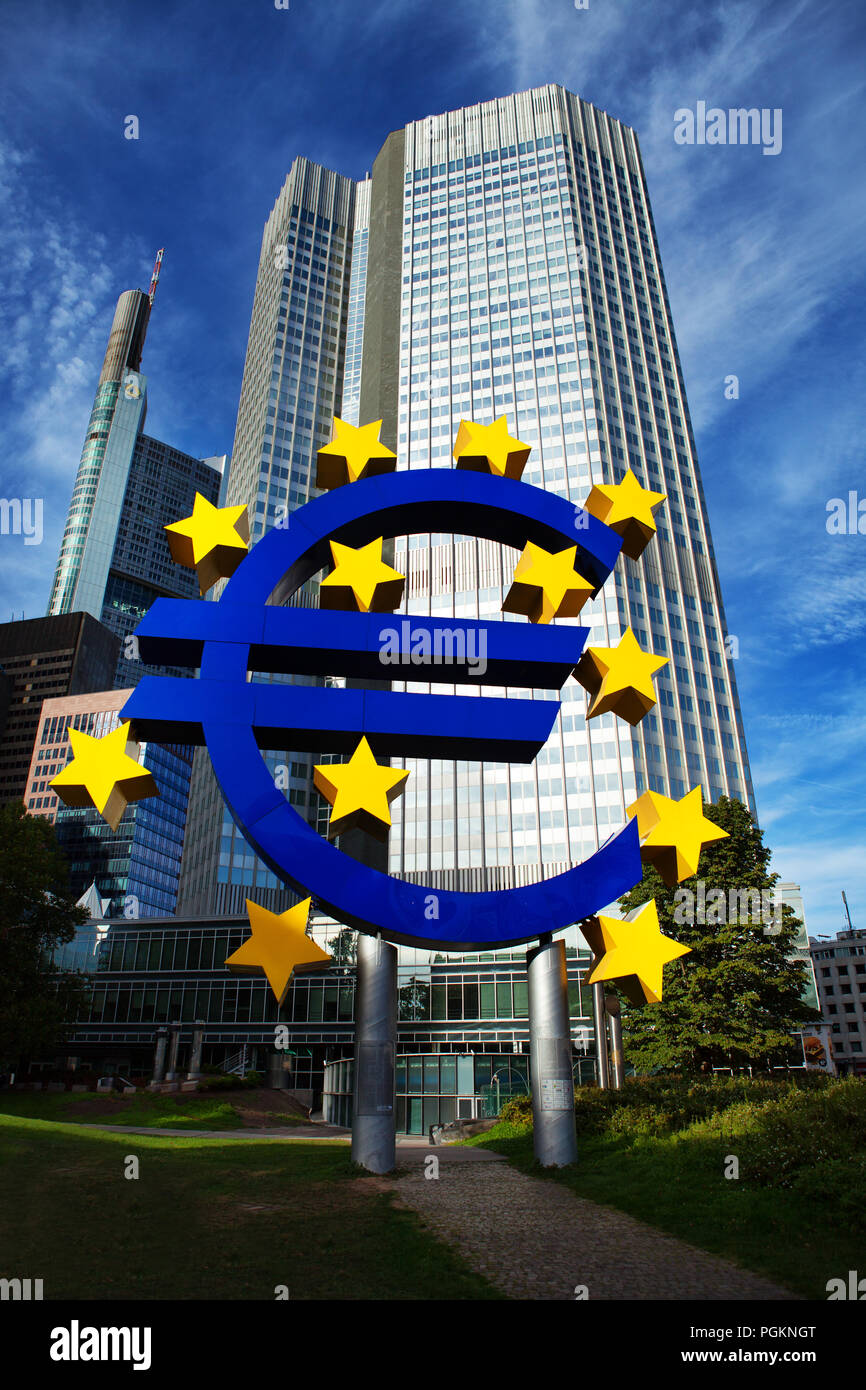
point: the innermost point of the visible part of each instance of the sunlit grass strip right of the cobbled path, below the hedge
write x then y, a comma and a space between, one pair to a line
678, 1185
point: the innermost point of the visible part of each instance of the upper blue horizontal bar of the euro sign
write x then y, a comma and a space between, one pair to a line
365, 646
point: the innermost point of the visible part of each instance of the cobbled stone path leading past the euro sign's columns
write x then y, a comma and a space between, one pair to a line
534, 1239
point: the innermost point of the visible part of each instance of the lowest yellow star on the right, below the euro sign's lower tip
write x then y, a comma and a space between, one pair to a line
633, 951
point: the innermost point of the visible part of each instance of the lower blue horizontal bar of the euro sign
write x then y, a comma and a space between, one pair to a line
311, 719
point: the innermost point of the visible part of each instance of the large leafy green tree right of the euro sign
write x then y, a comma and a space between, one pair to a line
737, 997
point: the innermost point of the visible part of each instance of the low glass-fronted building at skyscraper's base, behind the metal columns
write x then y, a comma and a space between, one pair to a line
464, 1035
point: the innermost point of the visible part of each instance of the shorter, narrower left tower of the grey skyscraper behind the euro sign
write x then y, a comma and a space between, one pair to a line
293, 389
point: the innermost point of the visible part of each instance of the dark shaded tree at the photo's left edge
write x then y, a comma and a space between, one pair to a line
37, 917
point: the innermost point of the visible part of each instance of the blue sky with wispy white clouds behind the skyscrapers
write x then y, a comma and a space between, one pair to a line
762, 255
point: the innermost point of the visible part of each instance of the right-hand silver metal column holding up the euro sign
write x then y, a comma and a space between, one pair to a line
555, 1138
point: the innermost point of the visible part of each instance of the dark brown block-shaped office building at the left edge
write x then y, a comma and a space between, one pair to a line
47, 658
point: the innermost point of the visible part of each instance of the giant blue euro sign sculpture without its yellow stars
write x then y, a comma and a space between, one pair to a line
251, 630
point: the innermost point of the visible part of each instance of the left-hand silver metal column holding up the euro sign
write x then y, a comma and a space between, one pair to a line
376, 1036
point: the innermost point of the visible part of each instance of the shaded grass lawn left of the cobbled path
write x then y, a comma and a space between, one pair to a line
209, 1218
